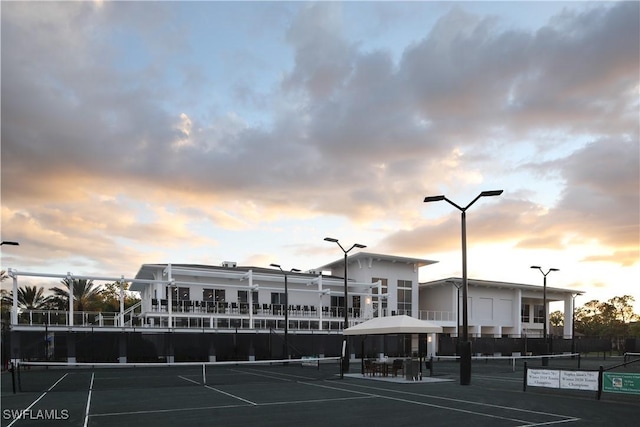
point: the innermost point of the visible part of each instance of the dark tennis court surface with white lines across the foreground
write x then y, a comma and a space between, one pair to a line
300, 393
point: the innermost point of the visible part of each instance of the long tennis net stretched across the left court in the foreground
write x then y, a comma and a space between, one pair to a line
59, 376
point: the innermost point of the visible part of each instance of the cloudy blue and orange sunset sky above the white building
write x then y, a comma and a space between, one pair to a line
203, 132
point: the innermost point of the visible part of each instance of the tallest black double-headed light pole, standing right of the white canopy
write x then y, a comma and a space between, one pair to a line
465, 345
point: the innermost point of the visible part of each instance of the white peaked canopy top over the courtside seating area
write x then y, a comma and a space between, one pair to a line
393, 325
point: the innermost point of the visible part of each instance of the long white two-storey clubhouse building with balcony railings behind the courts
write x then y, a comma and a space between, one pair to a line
232, 299
